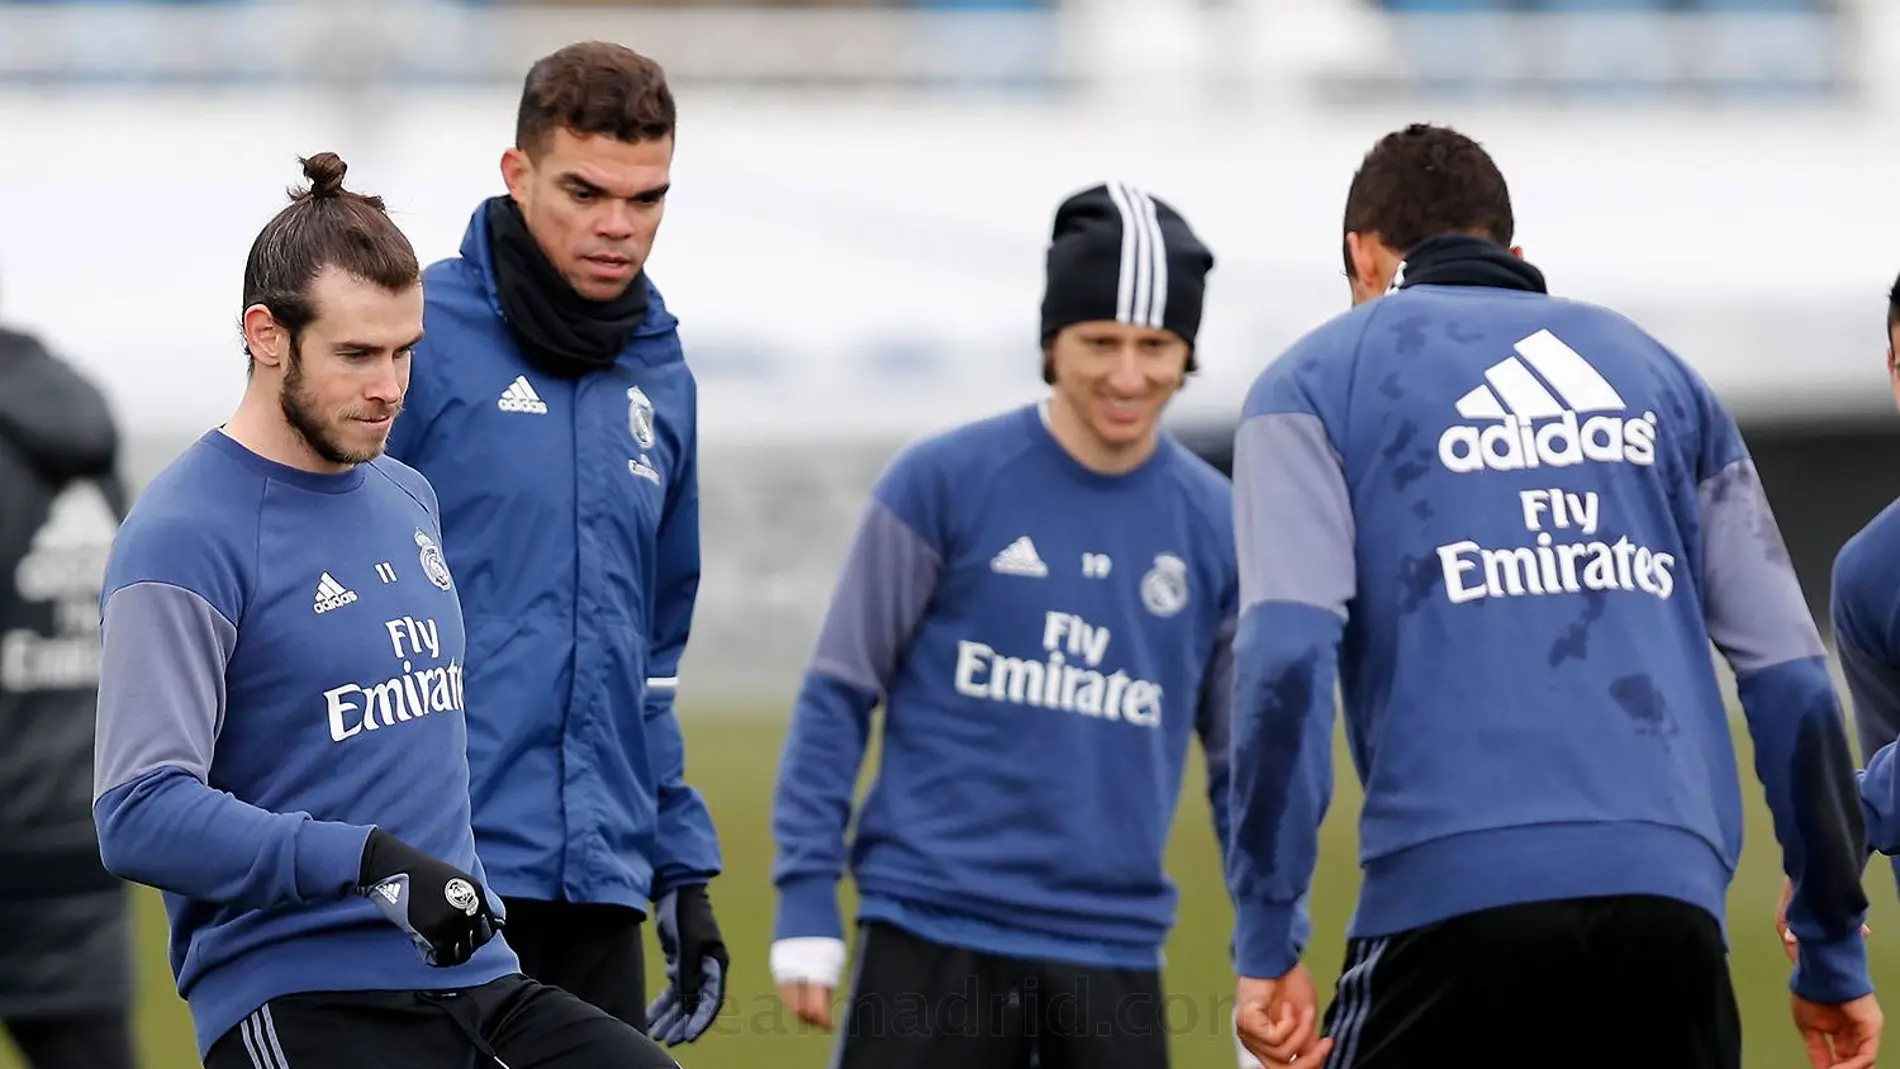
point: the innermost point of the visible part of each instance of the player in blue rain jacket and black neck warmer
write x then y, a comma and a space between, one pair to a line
556, 417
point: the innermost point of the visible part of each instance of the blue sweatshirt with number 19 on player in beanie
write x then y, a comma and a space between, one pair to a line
1044, 641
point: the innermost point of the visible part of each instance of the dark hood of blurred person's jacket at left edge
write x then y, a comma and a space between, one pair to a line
52, 415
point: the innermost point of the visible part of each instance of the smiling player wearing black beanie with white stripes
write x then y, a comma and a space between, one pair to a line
1044, 605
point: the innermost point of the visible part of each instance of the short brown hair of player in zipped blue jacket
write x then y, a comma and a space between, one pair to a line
594, 88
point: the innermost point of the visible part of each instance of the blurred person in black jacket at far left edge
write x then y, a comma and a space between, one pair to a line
66, 967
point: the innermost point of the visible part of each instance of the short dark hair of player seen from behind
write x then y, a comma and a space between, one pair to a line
1426, 181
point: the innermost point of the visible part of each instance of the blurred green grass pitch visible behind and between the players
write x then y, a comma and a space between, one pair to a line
734, 760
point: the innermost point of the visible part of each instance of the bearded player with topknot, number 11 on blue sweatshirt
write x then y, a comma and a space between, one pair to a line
282, 743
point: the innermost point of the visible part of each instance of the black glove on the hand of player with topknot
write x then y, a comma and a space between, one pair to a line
444, 909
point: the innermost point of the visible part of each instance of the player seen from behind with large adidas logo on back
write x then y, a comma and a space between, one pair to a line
1510, 527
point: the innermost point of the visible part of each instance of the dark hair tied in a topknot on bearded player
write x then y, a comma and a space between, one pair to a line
324, 227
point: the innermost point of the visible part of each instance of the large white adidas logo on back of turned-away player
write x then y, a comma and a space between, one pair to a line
1532, 405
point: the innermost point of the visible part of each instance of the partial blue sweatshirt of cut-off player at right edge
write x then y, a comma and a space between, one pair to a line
1865, 607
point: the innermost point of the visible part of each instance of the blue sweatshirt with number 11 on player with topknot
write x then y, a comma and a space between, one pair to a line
282, 671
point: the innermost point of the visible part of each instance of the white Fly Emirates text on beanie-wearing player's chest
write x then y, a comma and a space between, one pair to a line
1057, 683
